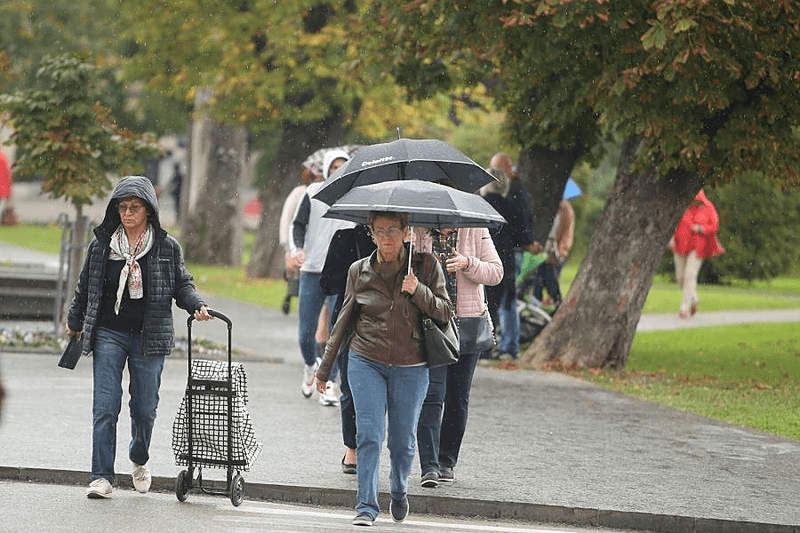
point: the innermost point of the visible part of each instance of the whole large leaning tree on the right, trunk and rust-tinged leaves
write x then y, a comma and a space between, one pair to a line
699, 92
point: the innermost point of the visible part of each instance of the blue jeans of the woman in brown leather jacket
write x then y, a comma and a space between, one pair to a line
378, 391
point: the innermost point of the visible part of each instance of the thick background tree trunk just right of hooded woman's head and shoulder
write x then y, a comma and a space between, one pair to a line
212, 228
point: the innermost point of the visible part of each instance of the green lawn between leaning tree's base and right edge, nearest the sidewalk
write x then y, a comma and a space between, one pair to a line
748, 375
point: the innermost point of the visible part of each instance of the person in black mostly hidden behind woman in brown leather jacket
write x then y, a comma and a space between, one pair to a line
347, 246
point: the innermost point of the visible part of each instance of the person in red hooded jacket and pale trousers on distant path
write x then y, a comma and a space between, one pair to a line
695, 239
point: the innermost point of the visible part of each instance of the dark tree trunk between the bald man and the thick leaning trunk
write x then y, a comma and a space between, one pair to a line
544, 172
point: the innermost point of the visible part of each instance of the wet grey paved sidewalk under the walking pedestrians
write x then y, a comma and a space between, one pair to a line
540, 446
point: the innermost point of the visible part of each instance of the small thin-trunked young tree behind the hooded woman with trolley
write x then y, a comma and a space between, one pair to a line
70, 138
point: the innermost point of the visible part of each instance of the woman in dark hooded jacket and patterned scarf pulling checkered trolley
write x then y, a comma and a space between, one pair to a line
122, 312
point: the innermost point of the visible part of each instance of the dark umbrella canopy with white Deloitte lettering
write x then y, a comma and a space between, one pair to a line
405, 159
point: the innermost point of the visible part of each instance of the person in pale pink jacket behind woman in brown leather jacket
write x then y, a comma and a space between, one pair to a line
470, 261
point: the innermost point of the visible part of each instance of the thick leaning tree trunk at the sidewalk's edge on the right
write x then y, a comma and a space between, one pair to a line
595, 325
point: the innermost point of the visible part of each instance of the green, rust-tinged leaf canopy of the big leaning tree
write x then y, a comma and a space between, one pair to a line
711, 87
